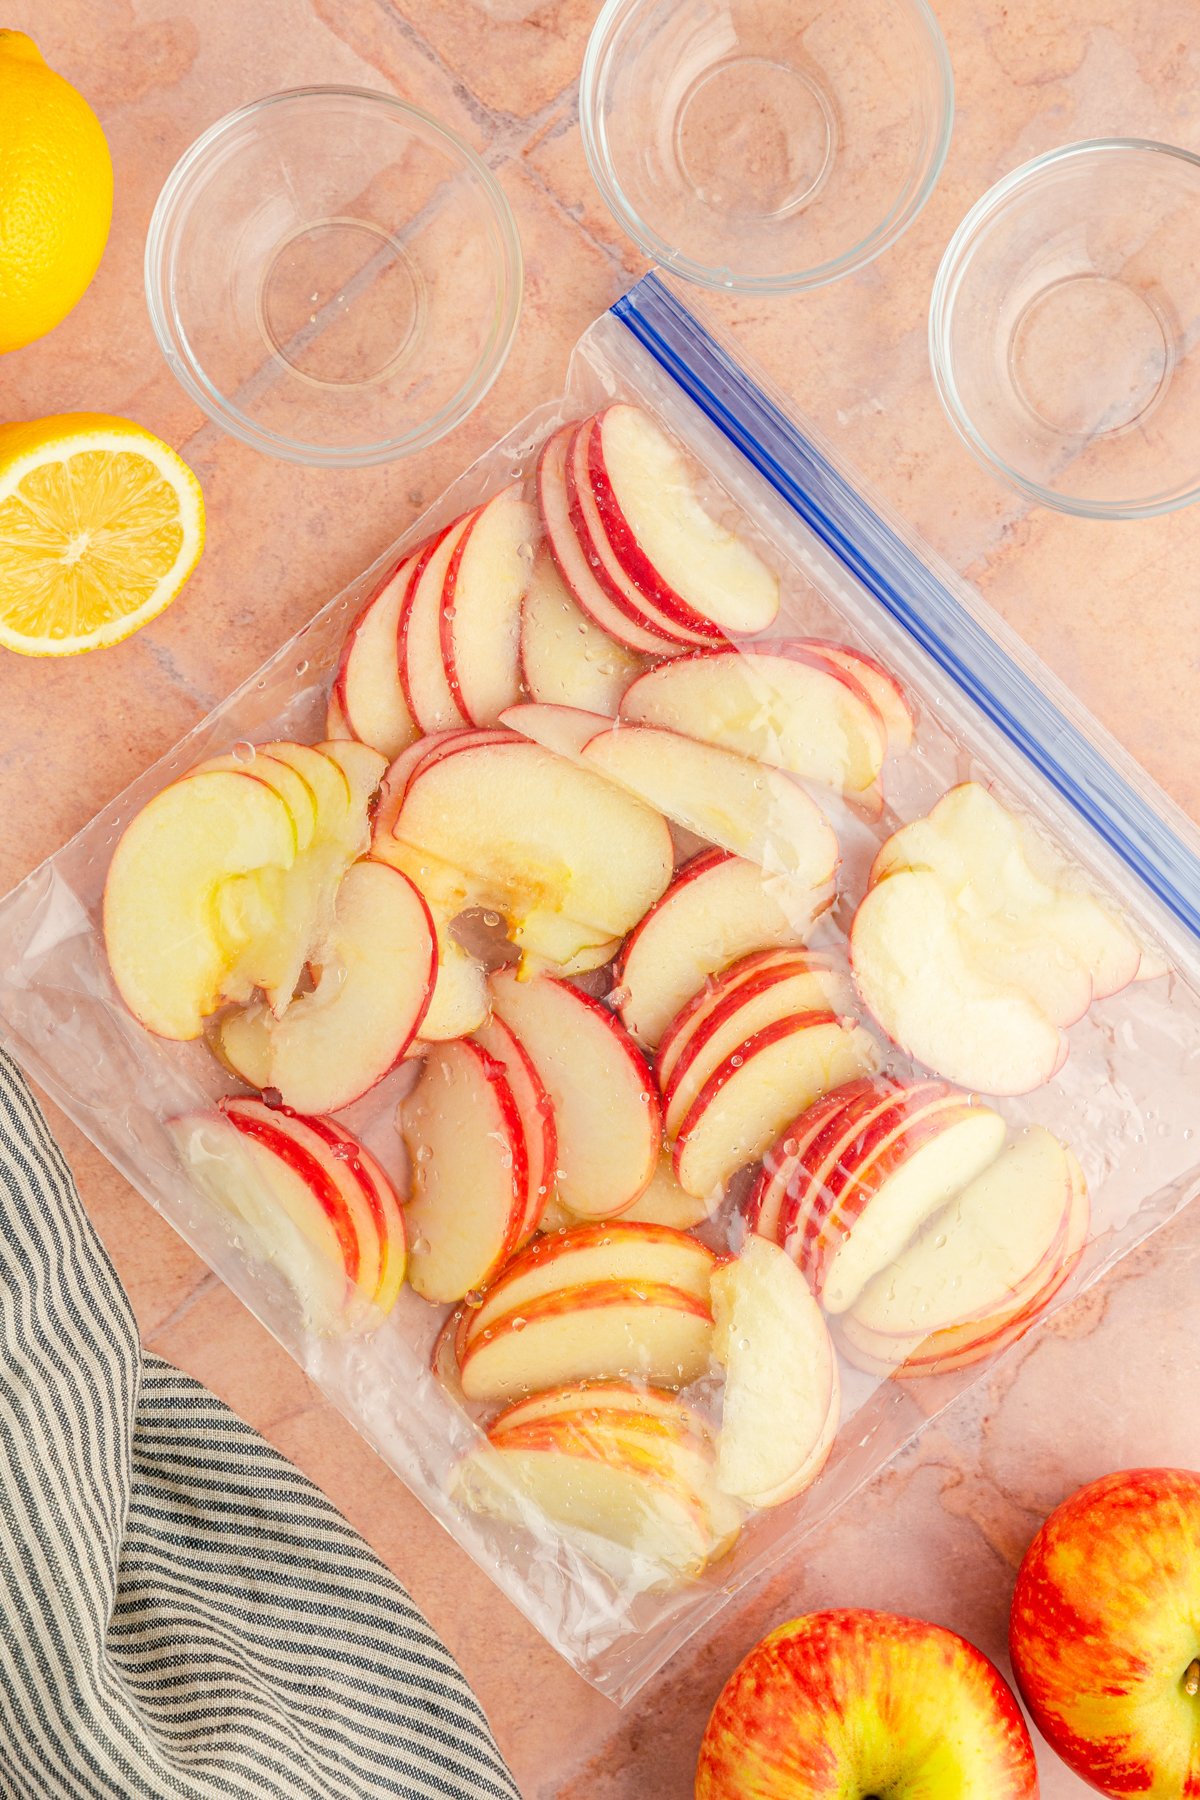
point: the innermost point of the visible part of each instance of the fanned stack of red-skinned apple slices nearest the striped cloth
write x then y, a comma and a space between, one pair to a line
312, 1198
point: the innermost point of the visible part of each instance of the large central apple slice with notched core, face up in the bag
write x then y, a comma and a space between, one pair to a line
539, 841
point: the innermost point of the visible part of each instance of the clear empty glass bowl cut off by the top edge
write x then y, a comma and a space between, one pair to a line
766, 145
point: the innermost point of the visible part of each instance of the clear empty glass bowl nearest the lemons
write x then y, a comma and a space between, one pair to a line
334, 276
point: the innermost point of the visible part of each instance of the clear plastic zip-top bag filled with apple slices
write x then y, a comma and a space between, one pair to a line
645, 996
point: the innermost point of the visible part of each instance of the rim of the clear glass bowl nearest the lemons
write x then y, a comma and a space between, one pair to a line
172, 208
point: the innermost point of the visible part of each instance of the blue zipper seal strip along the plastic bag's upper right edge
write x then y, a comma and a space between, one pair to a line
911, 593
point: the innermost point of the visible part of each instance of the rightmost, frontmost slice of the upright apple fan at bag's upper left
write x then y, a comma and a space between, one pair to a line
481, 604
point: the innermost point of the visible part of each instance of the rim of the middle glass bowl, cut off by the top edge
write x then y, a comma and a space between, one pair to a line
882, 237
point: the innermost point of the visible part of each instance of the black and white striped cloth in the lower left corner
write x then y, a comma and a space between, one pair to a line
183, 1612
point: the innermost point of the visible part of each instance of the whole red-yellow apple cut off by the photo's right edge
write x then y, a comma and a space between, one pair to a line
1106, 1633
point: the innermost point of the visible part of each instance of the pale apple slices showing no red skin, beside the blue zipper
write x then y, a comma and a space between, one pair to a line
974, 951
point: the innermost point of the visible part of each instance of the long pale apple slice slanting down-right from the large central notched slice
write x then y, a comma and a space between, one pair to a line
724, 798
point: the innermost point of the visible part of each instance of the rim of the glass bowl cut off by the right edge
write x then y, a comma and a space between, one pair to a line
945, 292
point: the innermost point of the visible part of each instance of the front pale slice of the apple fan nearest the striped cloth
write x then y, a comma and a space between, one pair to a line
287, 1207
